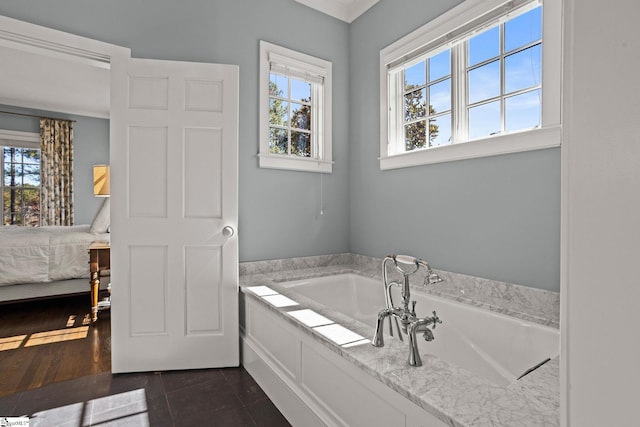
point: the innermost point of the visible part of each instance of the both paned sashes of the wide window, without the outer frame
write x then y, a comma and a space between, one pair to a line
501, 86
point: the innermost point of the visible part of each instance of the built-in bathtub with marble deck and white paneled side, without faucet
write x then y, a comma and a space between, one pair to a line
469, 374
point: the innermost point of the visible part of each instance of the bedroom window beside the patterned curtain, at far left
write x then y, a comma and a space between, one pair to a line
20, 178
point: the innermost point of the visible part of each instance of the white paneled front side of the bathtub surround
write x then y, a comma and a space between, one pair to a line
320, 388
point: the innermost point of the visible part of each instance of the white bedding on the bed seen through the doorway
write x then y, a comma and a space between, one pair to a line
45, 254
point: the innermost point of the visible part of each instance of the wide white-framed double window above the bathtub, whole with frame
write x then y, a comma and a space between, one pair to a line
475, 76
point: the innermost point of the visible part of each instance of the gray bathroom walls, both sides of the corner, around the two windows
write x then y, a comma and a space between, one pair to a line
497, 217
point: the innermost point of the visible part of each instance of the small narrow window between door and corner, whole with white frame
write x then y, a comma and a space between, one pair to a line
295, 110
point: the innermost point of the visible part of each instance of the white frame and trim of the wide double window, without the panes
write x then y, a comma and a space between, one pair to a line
445, 30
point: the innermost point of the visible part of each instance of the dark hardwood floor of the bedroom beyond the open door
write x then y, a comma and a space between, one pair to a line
32, 365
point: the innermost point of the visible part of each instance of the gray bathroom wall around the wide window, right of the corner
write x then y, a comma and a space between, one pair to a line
495, 217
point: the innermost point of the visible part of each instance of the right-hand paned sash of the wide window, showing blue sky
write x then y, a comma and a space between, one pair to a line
503, 69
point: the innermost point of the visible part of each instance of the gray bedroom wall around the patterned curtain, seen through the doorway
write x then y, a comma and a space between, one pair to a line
90, 147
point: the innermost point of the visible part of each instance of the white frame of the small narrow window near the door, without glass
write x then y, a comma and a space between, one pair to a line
319, 72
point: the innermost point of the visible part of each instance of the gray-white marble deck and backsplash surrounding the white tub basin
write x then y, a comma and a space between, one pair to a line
452, 394
